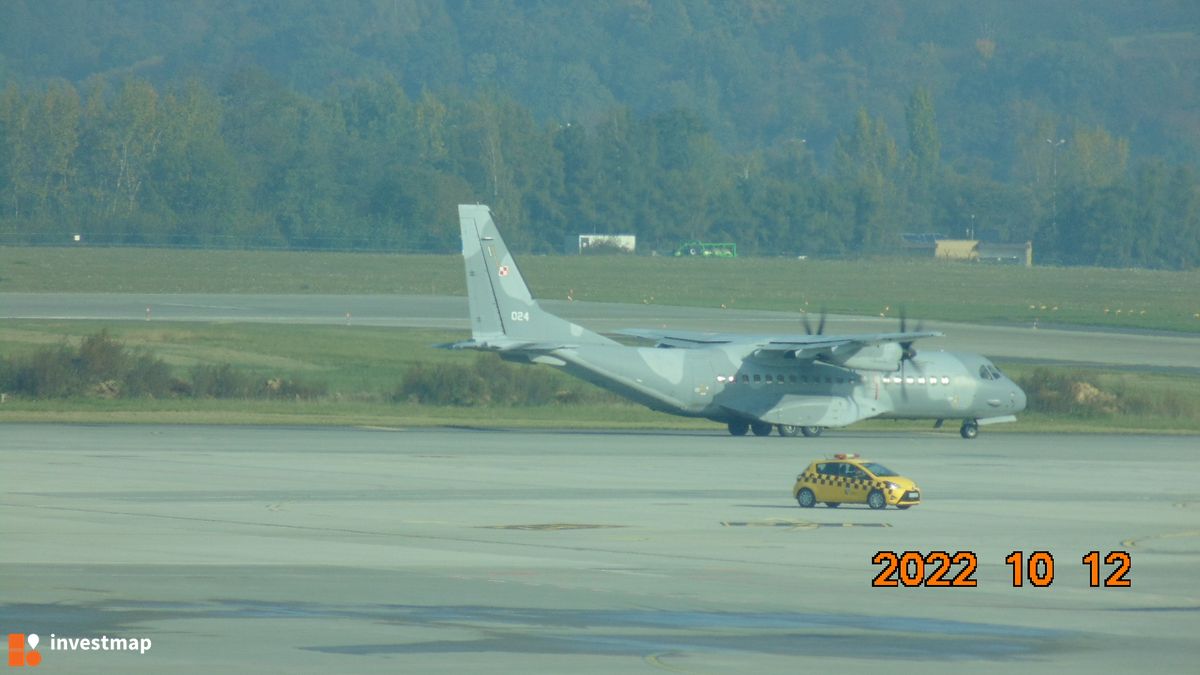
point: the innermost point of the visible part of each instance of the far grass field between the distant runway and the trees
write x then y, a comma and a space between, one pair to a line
1142, 300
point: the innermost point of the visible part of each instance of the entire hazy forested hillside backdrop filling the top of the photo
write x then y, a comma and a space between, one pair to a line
771, 124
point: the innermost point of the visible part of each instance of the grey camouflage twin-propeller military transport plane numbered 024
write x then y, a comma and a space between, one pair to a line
796, 384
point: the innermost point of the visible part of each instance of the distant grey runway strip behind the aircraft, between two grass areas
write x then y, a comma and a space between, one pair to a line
1173, 353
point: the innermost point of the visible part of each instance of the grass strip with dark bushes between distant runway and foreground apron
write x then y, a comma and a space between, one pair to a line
363, 368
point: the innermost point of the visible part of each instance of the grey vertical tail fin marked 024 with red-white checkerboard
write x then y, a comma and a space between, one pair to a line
503, 313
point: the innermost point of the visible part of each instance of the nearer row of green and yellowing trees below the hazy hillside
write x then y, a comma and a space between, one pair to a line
254, 163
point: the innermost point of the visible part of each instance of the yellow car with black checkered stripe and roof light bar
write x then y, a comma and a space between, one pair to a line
847, 479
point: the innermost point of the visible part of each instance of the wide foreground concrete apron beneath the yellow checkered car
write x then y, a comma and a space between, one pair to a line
322, 551
